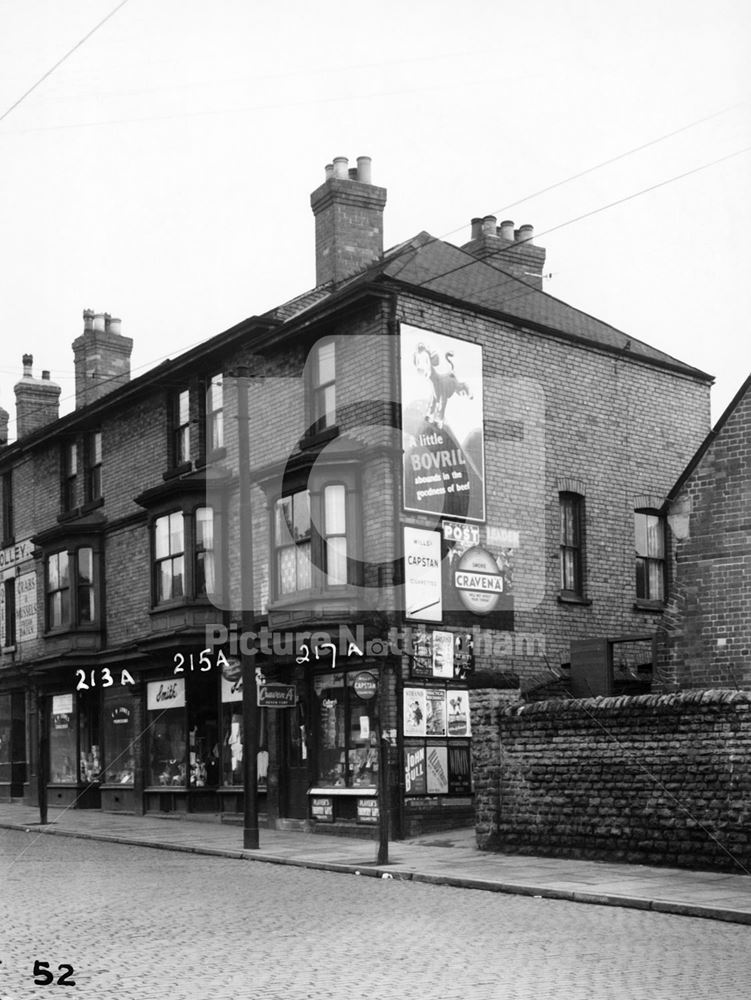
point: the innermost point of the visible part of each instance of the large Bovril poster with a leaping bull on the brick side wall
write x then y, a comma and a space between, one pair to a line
442, 424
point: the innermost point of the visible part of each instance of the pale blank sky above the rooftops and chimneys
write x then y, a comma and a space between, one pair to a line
163, 172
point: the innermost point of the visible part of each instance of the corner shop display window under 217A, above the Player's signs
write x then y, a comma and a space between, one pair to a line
347, 733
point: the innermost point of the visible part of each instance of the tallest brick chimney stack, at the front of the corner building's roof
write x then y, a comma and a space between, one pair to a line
348, 210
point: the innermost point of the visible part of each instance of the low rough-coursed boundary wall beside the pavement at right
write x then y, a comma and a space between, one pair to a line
652, 779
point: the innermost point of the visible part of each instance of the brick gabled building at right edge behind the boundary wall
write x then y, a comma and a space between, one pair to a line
705, 640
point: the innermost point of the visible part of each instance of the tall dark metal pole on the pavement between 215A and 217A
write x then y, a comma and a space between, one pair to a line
250, 709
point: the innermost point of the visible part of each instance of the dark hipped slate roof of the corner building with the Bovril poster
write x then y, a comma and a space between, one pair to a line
425, 262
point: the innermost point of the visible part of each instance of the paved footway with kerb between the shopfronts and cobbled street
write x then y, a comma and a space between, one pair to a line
446, 858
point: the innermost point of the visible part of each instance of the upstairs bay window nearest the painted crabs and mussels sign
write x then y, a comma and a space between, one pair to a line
71, 592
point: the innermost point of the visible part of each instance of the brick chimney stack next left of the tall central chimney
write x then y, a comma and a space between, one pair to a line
101, 356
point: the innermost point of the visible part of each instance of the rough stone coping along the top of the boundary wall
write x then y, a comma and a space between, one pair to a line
637, 703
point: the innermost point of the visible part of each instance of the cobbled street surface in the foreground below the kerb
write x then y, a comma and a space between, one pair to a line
137, 924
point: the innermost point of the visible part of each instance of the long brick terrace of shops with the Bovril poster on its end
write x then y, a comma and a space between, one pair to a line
441, 478
